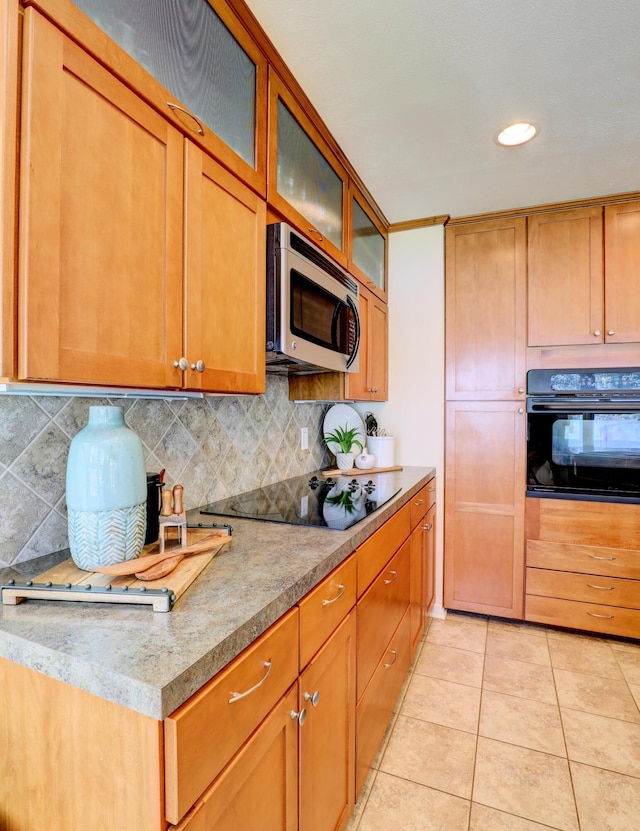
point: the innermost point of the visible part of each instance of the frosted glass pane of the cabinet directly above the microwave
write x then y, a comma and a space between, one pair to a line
306, 179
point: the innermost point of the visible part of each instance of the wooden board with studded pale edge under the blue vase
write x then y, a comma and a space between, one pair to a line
68, 582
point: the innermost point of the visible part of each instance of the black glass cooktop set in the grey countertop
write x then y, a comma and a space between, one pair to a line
336, 502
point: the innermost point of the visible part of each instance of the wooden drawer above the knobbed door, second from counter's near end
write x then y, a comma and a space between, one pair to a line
323, 608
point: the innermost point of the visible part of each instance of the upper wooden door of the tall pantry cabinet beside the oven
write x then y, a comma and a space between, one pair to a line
485, 296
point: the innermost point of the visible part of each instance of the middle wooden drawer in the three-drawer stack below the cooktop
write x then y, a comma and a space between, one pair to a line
380, 612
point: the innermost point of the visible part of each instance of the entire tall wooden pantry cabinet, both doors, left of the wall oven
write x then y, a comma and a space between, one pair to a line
485, 416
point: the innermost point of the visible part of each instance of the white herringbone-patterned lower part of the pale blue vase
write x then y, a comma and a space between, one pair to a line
103, 538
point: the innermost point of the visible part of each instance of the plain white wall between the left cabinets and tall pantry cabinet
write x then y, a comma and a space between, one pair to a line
414, 413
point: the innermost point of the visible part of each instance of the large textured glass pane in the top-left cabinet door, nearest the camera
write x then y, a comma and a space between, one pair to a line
185, 46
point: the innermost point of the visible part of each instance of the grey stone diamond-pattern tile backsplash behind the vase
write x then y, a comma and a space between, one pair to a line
215, 447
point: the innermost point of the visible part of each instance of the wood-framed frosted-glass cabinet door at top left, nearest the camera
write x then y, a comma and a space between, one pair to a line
193, 61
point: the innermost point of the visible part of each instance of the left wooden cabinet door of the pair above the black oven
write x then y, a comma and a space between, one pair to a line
565, 278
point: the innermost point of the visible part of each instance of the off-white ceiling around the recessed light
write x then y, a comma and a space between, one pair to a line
414, 91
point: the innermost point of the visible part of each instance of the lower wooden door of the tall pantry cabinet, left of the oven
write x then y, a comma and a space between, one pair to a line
484, 507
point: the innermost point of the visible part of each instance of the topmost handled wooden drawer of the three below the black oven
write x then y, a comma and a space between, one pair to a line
589, 559
